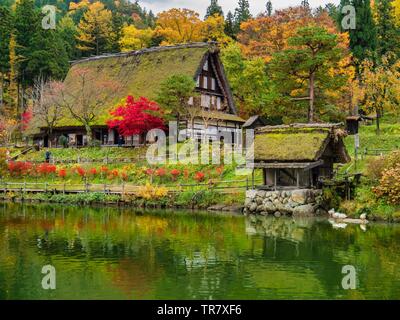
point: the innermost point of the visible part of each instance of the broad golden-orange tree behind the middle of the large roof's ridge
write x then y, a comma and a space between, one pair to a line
179, 26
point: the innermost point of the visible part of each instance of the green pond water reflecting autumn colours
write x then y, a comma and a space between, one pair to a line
111, 253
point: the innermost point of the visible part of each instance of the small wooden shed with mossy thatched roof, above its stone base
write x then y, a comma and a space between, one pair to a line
298, 155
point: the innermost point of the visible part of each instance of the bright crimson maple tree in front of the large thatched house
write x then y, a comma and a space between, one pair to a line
136, 117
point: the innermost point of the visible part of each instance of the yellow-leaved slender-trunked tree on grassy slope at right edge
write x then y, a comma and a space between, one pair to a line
381, 86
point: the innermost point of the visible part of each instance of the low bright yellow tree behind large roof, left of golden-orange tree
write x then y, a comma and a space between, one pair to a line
135, 39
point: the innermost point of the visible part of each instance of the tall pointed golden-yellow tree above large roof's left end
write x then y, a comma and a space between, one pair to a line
95, 29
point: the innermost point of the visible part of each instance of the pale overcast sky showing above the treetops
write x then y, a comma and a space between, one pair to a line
256, 6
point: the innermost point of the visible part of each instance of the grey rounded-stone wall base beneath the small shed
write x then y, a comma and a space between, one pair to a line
300, 202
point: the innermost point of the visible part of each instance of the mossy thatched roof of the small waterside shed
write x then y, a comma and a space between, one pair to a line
299, 143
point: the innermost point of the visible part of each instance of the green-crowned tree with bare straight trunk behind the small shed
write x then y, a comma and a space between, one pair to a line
308, 64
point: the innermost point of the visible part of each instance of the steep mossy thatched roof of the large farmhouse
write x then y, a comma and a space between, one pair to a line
142, 72
